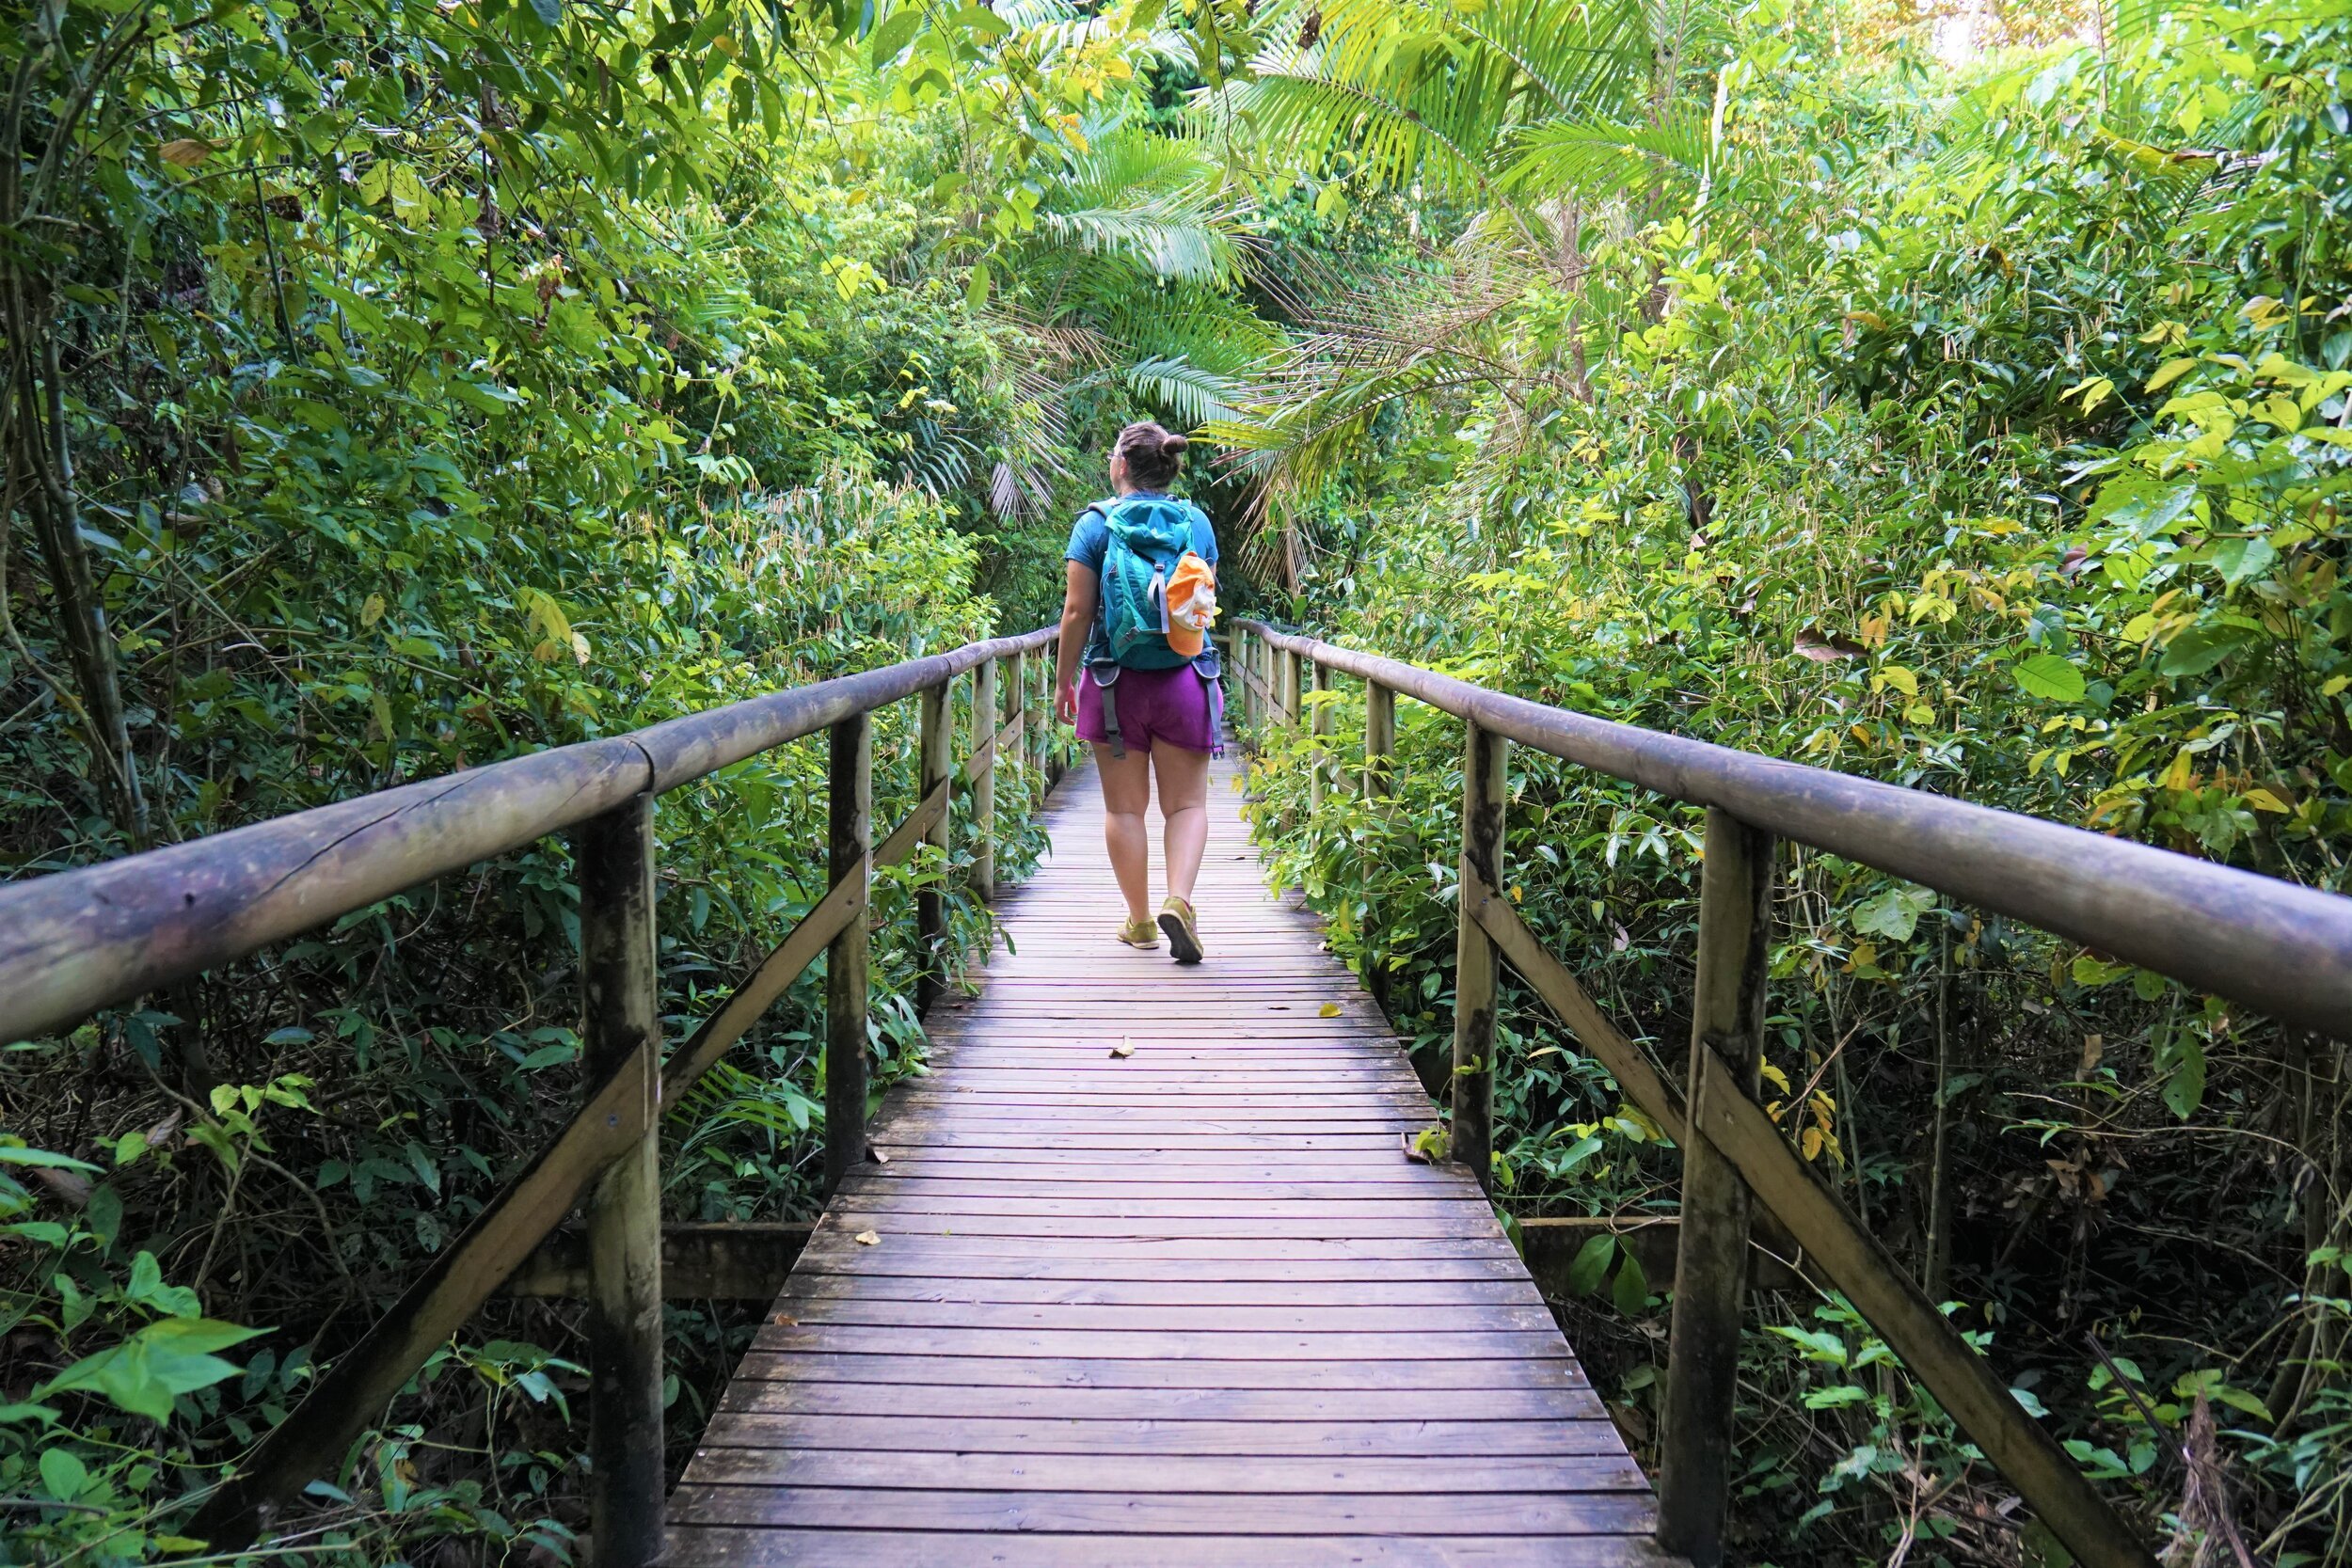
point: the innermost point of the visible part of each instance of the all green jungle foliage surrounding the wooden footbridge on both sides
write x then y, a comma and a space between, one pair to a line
399, 387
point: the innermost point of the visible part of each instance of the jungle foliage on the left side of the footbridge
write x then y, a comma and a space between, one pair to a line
401, 387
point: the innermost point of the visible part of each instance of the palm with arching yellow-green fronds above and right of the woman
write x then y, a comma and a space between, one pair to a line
1535, 112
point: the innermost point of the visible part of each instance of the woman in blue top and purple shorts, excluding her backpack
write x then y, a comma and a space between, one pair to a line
1161, 723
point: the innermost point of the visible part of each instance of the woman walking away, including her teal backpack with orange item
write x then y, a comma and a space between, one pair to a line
1140, 678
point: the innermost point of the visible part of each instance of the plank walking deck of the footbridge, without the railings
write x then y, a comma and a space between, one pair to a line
1187, 1308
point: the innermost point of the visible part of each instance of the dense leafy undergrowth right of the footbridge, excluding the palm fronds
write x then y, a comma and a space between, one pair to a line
1984, 438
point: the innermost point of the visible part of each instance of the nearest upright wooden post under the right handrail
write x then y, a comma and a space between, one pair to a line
1711, 1264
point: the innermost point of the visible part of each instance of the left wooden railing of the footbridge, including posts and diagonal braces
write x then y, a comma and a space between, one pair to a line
102, 937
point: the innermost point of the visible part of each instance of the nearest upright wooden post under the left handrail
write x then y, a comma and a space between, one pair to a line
624, 1207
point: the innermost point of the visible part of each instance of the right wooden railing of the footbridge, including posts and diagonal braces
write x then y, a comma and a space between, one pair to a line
2273, 946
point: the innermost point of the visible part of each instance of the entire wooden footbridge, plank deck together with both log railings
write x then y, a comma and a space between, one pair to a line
1142, 1275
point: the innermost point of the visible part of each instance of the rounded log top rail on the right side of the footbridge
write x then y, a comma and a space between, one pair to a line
2278, 949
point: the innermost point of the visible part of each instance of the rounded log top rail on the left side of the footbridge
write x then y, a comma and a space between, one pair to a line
98, 937
